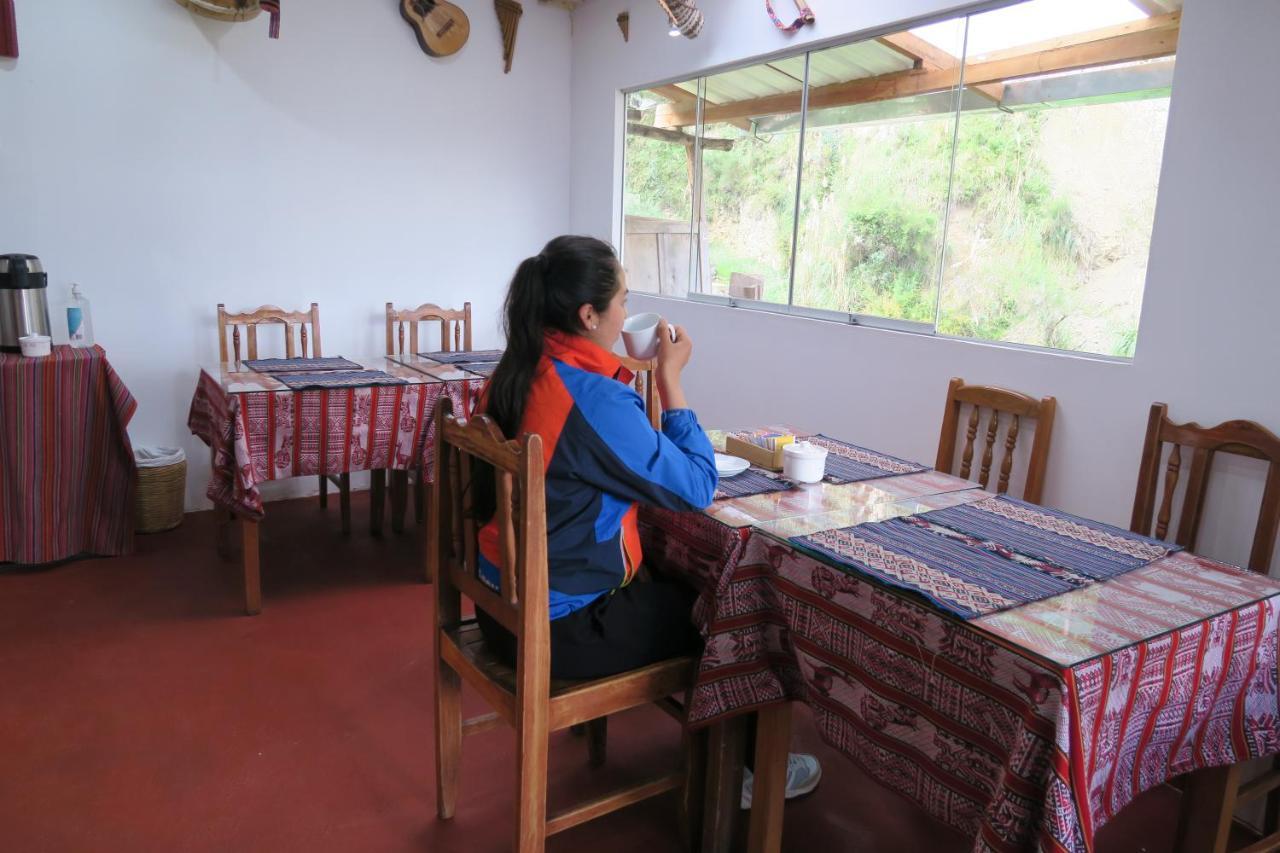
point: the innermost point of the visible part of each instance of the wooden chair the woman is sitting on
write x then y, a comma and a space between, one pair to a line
524, 697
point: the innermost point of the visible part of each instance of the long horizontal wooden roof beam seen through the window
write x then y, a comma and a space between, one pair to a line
1090, 51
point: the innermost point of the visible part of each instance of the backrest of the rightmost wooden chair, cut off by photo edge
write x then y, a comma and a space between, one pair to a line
1241, 437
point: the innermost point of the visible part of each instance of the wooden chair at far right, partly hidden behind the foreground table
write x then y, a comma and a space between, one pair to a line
1214, 795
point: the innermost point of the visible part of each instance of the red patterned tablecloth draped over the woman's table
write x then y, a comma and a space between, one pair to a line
1027, 729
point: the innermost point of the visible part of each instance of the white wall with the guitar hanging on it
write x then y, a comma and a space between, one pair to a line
170, 163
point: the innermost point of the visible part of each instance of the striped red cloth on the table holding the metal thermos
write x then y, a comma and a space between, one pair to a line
68, 471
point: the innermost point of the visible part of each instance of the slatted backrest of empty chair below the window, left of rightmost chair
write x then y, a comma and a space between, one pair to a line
999, 402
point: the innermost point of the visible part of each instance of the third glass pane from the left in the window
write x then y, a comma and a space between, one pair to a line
877, 166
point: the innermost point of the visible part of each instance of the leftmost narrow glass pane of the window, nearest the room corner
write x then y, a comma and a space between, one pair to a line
657, 197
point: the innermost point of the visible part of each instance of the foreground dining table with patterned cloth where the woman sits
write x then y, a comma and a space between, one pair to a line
1020, 719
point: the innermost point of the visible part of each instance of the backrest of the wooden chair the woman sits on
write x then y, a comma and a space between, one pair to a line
522, 603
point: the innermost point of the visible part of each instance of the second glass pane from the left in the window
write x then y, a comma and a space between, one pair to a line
749, 180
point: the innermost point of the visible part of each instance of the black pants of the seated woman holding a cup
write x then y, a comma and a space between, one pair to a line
639, 624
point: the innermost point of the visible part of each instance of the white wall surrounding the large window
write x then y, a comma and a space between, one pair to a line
1206, 346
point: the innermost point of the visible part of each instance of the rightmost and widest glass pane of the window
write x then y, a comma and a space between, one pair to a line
1055, 193
